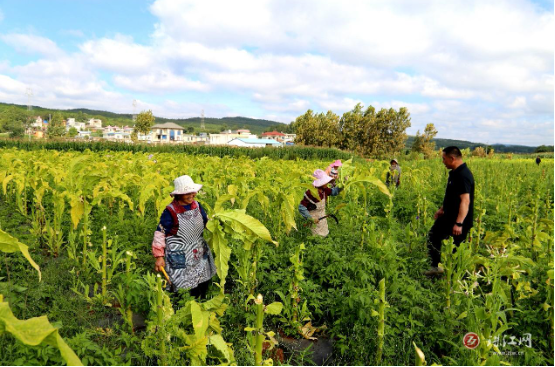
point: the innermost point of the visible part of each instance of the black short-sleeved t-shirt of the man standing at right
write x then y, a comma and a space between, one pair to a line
460, 182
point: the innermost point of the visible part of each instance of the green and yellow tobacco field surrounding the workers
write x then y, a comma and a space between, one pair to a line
75, 240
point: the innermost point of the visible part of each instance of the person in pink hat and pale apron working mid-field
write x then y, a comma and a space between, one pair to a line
313, 208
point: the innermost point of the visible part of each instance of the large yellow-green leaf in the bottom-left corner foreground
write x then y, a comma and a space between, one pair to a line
35, 331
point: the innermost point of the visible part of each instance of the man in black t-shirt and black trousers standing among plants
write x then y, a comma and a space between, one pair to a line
455, 217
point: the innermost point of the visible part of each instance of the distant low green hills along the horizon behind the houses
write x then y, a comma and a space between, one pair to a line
256, 126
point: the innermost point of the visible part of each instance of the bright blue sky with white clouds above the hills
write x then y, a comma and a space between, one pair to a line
479, 70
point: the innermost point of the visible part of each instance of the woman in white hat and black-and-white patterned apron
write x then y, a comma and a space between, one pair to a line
178, 244
